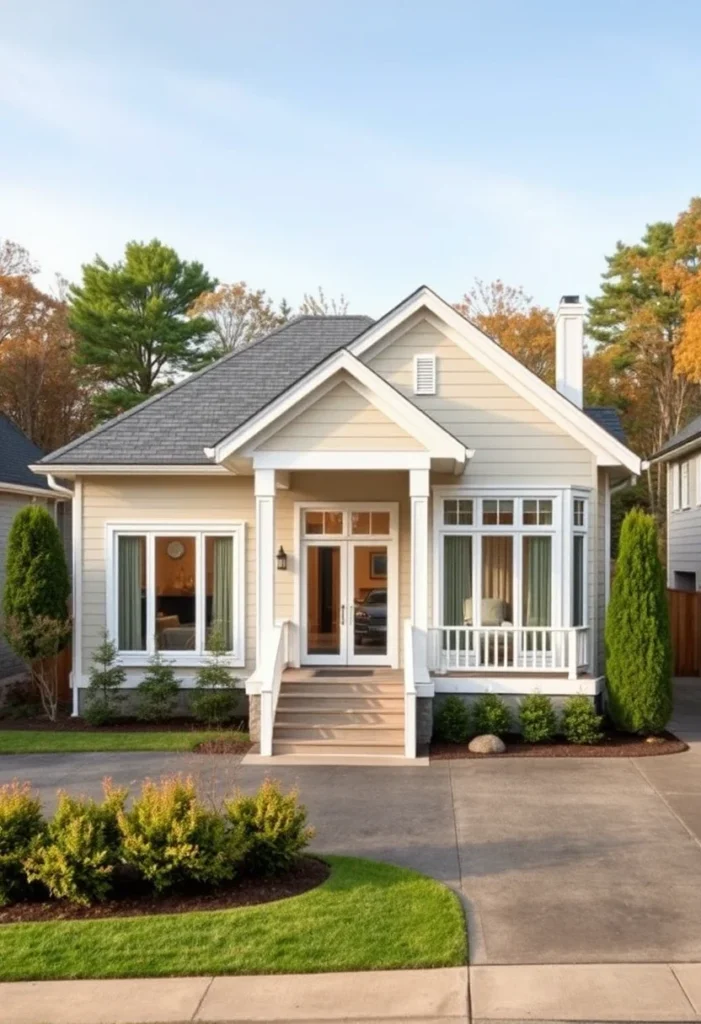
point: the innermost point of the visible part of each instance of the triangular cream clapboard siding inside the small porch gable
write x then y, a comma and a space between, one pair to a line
342, 420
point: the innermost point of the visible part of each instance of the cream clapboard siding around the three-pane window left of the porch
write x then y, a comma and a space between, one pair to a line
159, 500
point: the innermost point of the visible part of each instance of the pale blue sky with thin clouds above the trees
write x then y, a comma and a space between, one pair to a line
367, 147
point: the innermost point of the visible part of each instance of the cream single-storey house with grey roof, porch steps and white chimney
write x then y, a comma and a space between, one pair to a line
373, 513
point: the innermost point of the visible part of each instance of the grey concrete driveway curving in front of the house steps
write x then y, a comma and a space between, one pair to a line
558, 862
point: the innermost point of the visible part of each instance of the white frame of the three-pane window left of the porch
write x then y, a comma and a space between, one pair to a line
199, 530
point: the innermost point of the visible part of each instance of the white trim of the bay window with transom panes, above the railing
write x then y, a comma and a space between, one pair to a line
561, 531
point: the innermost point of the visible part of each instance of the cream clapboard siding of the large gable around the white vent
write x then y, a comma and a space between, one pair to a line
514, 442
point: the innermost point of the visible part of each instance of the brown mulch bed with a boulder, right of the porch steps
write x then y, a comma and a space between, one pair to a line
615, 745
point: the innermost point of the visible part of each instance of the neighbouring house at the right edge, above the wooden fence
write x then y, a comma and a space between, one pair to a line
682, 455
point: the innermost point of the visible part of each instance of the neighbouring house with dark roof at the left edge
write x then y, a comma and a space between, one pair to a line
20, 487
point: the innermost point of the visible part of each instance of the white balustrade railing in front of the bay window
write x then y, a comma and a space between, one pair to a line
509, 649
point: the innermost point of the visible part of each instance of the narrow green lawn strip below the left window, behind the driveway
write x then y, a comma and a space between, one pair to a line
31, 742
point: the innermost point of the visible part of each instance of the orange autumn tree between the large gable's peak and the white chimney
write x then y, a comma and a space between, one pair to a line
508, 316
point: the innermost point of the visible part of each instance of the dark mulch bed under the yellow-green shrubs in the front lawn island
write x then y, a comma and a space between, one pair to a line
306, 875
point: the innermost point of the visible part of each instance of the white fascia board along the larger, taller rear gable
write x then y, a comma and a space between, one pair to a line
508, 368
